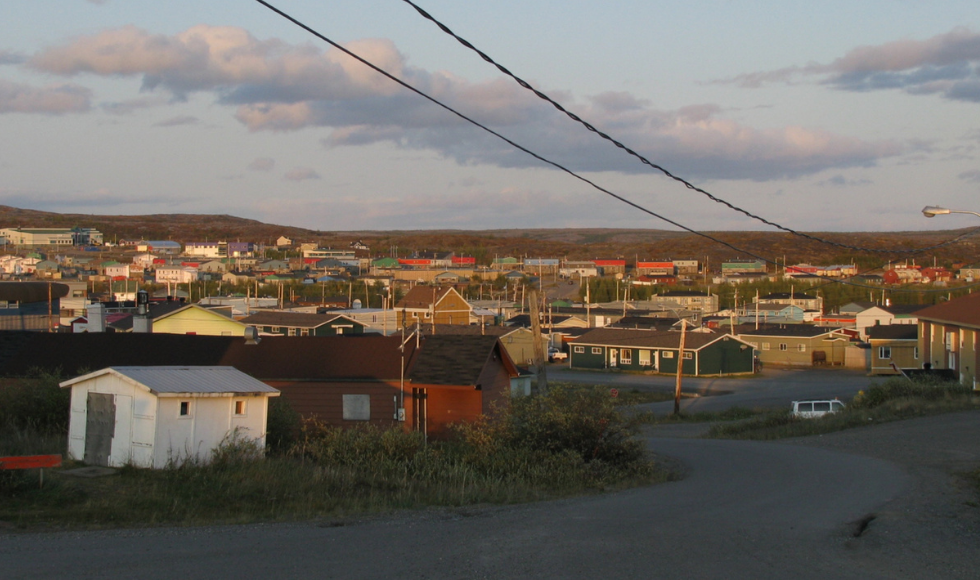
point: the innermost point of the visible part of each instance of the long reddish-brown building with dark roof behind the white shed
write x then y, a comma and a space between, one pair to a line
423, 384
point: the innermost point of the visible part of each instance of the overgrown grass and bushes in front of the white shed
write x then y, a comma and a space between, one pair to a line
574, 441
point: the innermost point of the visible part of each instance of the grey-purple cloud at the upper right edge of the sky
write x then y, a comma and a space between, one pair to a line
946, 64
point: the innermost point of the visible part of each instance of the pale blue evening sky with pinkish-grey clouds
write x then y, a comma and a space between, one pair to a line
820, 116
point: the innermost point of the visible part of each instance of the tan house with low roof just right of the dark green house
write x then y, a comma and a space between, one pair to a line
798, 344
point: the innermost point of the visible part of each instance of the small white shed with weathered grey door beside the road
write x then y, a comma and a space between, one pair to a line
150, 416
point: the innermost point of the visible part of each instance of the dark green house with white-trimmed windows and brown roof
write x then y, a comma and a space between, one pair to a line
650, 350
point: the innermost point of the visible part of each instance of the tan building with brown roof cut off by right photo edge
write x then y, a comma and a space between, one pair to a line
948, 336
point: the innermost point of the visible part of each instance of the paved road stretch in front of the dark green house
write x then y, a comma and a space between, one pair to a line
773, 388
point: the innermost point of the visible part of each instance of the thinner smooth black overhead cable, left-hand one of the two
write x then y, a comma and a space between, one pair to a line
554, 164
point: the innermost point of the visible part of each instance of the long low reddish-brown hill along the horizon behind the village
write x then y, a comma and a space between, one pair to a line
579, 243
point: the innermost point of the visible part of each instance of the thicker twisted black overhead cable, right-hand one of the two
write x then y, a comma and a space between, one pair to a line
649, 163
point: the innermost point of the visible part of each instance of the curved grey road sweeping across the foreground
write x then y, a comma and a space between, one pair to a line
744, 510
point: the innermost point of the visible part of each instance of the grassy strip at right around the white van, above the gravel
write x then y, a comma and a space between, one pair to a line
892, 400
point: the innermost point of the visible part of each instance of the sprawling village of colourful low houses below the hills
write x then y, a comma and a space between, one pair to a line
433, 339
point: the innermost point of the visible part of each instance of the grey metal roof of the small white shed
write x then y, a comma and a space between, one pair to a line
161, 380
